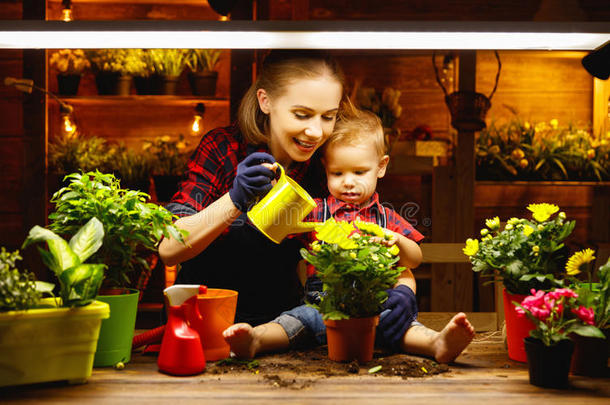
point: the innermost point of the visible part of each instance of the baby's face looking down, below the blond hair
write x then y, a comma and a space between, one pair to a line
352, 171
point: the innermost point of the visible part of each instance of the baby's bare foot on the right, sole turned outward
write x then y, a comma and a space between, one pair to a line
453, 339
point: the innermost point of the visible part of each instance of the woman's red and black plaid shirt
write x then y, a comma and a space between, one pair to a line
213, 166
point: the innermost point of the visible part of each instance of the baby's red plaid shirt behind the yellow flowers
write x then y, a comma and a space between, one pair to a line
343, 211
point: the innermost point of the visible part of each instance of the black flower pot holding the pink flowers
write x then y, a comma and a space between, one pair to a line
549, 366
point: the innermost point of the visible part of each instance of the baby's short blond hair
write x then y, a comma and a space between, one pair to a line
355, 126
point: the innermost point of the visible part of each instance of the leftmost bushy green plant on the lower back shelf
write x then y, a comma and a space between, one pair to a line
68, 154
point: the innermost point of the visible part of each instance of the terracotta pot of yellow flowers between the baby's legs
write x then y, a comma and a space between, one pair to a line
351, 339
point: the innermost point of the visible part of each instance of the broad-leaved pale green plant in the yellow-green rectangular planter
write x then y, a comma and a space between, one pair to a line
79, 281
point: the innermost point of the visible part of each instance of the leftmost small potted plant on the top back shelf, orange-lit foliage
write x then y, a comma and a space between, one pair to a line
70, 65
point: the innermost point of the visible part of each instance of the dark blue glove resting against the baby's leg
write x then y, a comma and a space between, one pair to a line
403, 310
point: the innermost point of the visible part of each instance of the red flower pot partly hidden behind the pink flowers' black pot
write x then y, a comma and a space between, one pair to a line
517, 328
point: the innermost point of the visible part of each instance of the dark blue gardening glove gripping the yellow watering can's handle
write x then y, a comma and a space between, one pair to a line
252, 180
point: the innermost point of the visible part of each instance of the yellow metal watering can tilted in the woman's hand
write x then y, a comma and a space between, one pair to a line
281, 211
